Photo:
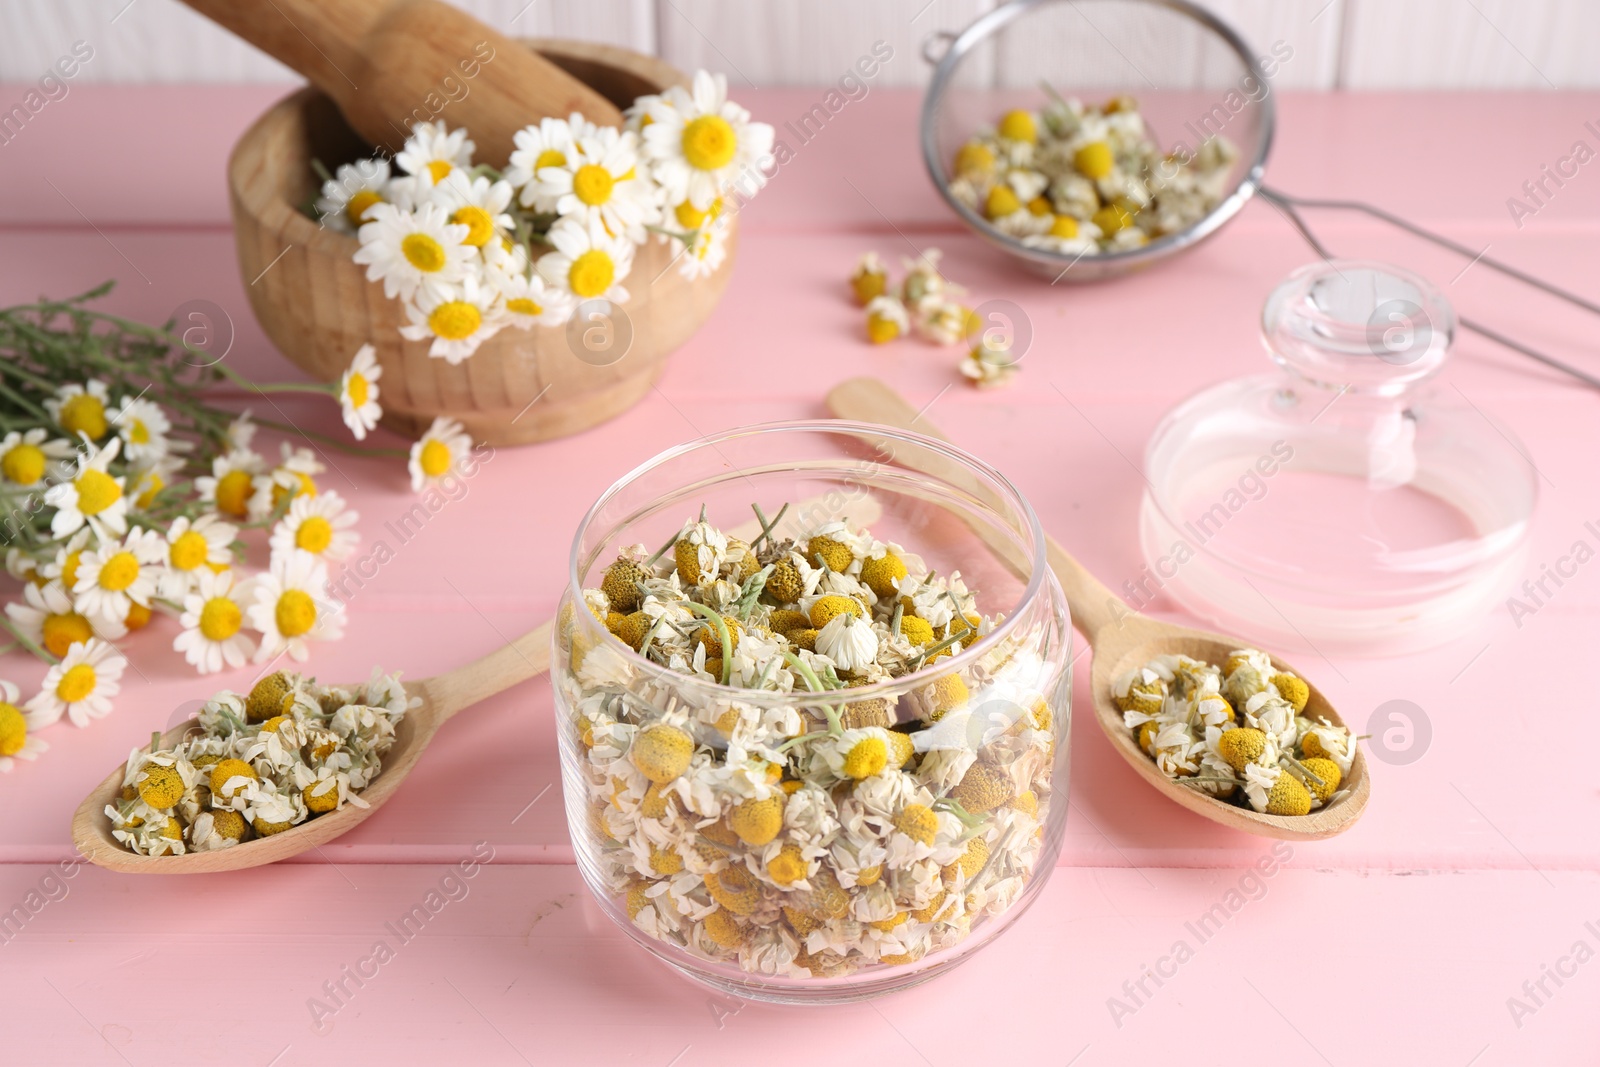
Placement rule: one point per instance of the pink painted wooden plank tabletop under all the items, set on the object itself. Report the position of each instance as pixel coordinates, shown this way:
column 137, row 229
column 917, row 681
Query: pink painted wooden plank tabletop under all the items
column 1457, row 924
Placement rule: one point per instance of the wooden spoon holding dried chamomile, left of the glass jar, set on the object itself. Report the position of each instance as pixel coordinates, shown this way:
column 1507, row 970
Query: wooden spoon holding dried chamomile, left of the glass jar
column 442, row 697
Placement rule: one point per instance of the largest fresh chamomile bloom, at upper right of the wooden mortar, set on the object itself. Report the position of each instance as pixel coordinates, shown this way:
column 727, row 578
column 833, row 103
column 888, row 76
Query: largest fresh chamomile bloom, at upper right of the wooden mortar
column 702, row 143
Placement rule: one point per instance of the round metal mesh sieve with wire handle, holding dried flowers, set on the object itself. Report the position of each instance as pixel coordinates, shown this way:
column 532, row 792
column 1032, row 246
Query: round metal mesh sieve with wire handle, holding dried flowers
column 1193, row 76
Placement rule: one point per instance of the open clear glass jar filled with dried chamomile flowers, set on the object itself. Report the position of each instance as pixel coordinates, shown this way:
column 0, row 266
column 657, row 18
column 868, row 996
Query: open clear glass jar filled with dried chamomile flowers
column 887, row 900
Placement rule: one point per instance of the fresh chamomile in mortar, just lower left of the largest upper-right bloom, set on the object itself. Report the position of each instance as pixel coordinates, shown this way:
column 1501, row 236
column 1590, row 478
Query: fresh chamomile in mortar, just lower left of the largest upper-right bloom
column 599, row 183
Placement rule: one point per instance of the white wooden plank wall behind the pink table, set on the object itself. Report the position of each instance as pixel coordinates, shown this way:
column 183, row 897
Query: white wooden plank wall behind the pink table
column 1338, row 44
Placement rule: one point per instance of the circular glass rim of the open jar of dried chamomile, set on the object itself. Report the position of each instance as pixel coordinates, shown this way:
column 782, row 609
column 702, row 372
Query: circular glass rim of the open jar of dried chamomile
column 932, row 669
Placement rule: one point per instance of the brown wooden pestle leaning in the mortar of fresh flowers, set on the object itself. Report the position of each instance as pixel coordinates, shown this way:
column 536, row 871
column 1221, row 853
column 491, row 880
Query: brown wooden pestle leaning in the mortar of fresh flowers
column 396, row 63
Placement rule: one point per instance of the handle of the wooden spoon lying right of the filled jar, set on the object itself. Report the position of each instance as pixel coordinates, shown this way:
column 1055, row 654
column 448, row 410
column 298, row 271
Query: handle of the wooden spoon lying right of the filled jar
column 871, row 401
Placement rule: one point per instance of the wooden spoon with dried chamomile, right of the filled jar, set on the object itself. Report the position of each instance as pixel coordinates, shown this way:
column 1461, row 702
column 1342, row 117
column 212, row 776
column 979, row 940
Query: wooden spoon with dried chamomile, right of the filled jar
column 1122, row 641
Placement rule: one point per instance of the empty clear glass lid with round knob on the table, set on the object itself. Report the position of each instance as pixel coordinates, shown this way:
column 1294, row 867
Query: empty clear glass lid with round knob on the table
column 1345, row 503
